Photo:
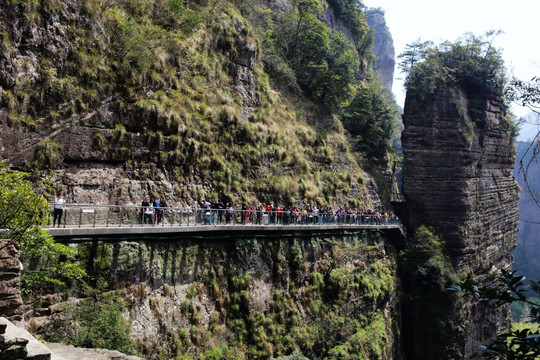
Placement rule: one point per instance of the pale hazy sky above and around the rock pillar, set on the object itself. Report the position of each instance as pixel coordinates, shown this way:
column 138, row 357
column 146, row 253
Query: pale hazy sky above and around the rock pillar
column 438, row 21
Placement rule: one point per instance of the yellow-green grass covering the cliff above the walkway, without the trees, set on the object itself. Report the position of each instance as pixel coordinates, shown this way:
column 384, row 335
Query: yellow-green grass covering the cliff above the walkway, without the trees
column 207, row 121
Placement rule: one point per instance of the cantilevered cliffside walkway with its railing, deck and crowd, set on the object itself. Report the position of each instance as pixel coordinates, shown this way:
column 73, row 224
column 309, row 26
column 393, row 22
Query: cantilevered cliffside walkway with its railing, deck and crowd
column 89, row 221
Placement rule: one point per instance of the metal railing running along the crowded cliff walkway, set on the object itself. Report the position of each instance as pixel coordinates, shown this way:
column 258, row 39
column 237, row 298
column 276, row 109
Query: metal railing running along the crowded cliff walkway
column 91, row 215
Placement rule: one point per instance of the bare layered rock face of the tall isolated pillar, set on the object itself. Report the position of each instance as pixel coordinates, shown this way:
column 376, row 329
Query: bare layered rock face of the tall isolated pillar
column 458, row 160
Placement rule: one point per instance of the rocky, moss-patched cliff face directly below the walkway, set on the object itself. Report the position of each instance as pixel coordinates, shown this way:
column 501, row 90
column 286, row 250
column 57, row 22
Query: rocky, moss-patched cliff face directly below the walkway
column 332, row 295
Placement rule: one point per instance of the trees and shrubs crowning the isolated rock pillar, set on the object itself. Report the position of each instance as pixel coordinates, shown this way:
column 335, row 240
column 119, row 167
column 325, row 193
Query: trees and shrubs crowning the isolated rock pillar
column 430, row 68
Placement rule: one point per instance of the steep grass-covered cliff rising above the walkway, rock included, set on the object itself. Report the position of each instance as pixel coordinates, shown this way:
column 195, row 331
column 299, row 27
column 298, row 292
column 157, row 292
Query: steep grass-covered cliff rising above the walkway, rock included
column 123, row 100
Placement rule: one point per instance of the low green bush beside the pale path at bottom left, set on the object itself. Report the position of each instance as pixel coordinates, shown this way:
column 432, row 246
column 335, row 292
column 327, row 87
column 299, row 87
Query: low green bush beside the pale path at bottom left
column 93, row 324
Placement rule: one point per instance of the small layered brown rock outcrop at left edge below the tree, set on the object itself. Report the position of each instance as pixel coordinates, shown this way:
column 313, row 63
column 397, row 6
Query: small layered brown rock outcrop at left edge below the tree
column 10, row 281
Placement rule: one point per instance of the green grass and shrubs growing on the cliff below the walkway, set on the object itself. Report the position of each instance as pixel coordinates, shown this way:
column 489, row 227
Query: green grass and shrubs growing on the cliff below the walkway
column 326, row 309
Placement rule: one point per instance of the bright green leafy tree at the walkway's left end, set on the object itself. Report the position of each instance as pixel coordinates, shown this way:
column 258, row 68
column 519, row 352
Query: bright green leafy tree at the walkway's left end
column 22, row 213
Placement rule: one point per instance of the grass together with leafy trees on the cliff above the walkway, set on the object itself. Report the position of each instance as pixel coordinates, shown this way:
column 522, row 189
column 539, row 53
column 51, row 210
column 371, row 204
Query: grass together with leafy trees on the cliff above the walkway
column 193, row 108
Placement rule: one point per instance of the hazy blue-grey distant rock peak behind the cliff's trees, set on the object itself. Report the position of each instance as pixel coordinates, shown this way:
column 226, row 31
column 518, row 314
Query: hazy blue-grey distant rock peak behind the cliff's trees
column 383, row 46
